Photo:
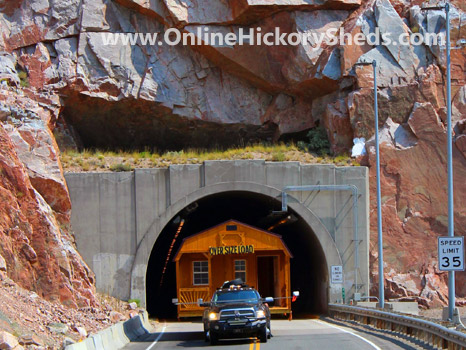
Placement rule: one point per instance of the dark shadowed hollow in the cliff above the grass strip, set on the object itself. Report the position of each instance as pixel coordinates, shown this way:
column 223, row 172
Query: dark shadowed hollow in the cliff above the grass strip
column 141, row 125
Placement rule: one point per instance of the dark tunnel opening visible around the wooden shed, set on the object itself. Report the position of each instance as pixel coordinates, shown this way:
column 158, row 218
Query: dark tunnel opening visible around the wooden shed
column 308, row 266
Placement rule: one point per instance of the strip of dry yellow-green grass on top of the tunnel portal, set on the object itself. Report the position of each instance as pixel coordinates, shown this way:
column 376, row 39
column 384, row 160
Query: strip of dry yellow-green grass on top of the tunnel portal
column 99, row 160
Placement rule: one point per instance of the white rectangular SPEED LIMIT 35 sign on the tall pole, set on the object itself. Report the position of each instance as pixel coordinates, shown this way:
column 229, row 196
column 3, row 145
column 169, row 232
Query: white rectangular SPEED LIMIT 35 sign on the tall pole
column 451, row 253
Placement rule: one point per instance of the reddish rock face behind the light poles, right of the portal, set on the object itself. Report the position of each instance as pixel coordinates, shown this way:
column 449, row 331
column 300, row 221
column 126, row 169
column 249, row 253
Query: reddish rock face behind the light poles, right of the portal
column 414, row 211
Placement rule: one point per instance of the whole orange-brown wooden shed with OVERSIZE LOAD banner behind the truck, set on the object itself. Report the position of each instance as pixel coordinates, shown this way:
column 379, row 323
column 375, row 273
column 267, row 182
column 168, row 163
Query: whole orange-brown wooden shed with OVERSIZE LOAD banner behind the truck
column 228, row 251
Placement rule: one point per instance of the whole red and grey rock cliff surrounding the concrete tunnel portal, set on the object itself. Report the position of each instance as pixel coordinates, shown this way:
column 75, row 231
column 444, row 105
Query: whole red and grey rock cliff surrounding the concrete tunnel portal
column 172, row 97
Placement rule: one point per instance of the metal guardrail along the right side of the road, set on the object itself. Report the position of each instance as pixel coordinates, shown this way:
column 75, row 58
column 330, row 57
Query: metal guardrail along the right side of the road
column 429, row 332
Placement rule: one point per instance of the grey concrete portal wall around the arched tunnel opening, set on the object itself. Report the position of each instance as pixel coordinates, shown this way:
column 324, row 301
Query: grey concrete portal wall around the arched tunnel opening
column 117, row 217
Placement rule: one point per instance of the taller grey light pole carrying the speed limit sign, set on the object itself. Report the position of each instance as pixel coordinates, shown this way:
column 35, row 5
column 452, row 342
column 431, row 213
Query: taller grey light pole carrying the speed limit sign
column 451, row 229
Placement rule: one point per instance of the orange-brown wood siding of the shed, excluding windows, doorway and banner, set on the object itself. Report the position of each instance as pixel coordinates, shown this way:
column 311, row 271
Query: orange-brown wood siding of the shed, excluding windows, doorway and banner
column 221, row 267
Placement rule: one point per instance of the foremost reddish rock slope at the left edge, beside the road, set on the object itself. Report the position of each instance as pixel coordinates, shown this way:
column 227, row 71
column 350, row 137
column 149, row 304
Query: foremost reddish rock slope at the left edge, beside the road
column 37, row 255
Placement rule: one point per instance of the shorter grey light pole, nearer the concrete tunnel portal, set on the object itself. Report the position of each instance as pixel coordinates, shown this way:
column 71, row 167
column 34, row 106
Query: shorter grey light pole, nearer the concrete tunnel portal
column 379, row 201
